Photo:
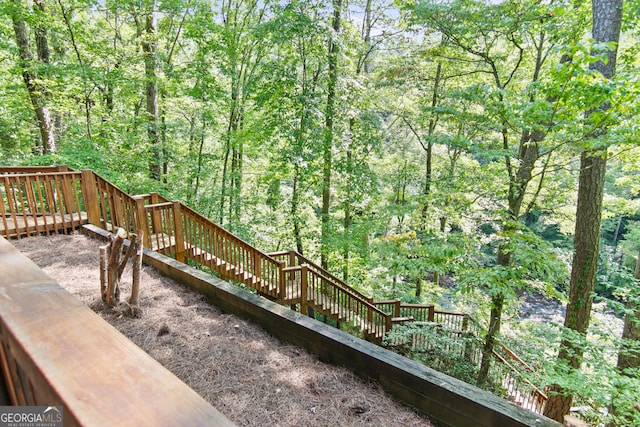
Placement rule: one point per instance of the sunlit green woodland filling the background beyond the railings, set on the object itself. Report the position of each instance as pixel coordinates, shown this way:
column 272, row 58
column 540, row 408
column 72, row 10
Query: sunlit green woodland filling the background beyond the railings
column 399, row 143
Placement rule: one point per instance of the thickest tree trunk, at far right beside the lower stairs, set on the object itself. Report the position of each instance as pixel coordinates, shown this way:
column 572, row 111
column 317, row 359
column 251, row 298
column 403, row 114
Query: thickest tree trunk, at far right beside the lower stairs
column 607, row 18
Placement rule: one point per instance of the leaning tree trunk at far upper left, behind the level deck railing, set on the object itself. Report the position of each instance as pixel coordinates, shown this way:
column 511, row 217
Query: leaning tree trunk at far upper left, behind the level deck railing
column 34, row 83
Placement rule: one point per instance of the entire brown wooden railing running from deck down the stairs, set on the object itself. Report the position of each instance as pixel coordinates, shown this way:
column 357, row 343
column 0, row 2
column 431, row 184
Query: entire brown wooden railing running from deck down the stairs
column 56, row 199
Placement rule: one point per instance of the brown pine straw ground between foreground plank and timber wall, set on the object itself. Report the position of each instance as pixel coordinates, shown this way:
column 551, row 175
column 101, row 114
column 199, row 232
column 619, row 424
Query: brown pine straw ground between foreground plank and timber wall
column 250, row 376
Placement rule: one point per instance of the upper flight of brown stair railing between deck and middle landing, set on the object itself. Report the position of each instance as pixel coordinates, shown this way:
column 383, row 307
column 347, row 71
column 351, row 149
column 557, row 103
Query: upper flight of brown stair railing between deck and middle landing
column 174, row 229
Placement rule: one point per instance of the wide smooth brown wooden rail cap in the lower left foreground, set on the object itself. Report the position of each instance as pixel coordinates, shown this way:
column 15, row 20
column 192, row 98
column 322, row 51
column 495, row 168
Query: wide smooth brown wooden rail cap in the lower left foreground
column 71, row 357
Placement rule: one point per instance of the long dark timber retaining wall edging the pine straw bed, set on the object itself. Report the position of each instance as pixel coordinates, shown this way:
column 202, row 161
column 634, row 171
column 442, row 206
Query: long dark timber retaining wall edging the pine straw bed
column 443, row 399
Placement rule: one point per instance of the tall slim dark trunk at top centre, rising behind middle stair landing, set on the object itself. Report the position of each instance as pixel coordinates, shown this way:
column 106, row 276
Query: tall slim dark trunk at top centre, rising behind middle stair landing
column 327, row 145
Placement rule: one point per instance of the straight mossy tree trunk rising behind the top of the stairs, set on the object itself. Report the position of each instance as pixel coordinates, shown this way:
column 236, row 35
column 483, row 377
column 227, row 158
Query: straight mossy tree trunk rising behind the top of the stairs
column 149, row 48
